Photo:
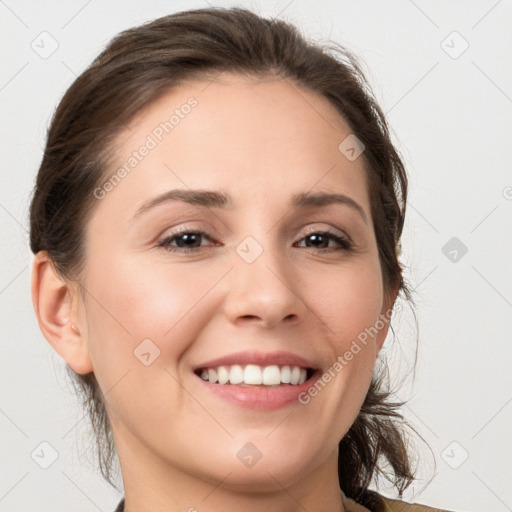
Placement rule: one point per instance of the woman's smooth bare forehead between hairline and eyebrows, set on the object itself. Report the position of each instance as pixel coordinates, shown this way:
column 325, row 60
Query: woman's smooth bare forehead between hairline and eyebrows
column 236, row 133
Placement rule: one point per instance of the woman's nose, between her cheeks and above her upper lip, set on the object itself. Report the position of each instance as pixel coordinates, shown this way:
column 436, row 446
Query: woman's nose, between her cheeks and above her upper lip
column 263, row 293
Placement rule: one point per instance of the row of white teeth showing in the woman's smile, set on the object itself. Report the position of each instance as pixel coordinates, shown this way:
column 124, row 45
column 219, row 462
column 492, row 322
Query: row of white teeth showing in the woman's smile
column 255, row 375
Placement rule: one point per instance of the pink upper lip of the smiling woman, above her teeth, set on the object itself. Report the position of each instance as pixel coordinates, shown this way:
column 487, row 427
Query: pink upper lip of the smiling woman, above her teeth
column 259, row 358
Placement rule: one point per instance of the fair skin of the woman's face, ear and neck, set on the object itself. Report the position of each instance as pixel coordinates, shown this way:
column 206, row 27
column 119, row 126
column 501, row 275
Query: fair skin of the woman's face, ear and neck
column 260, row 141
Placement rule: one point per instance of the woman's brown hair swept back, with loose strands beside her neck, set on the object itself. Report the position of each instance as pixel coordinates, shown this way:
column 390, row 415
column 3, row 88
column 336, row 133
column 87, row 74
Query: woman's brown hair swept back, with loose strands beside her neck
column 136, row 68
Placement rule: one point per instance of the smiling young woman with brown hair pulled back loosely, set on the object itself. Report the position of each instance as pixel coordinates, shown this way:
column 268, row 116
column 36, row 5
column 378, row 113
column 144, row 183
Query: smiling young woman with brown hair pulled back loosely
column 216, row 224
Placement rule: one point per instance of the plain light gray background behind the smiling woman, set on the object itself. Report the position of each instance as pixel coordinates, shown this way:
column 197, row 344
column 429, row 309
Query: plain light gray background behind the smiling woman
column 451, row 116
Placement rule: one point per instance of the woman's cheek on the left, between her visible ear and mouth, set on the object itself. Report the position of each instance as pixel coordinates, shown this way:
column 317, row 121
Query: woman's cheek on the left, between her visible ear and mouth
column 141, row 322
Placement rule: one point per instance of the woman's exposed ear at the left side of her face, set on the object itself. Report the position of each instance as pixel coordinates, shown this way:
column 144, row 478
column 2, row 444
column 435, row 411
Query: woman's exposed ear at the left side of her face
column 55, row 307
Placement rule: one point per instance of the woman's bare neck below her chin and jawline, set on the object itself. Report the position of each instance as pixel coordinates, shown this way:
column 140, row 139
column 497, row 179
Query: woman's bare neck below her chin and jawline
column 151, row 483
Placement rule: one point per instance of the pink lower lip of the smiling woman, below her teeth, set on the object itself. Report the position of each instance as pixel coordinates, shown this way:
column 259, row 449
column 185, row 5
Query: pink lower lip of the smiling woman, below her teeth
column 260, row 398
